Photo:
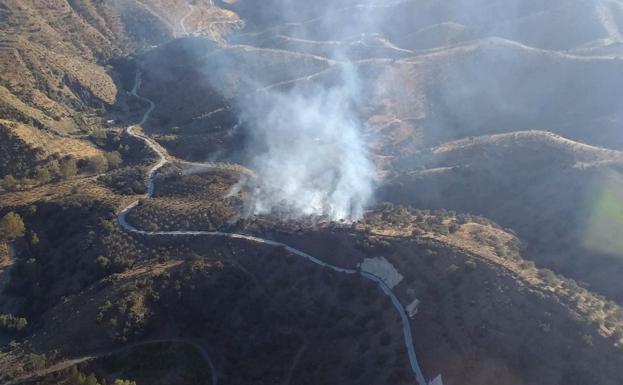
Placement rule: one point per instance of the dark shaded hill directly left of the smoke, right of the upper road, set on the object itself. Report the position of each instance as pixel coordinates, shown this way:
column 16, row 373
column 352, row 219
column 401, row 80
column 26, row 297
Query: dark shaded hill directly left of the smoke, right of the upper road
column 198, row 87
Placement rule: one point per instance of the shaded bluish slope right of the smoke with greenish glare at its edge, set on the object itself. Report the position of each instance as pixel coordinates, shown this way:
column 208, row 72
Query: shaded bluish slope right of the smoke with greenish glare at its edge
column 560, row 196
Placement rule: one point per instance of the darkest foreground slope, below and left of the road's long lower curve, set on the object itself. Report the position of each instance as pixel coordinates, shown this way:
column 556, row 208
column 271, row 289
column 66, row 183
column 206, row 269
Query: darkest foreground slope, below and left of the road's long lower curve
column 222, row 298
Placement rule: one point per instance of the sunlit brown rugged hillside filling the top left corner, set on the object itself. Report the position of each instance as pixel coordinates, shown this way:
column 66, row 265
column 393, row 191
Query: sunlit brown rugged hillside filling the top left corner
column 60, row 72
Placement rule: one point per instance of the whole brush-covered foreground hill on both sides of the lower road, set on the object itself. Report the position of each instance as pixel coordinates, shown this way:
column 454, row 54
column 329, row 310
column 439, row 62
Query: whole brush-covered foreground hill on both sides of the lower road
column 485, row 315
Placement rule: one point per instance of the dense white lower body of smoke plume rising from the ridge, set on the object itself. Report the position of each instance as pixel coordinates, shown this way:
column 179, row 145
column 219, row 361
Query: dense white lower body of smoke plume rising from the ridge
column 309, row 154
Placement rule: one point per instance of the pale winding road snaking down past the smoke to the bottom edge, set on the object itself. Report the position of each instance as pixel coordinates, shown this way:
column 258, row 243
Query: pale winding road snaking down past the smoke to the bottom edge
column 163, row 156
